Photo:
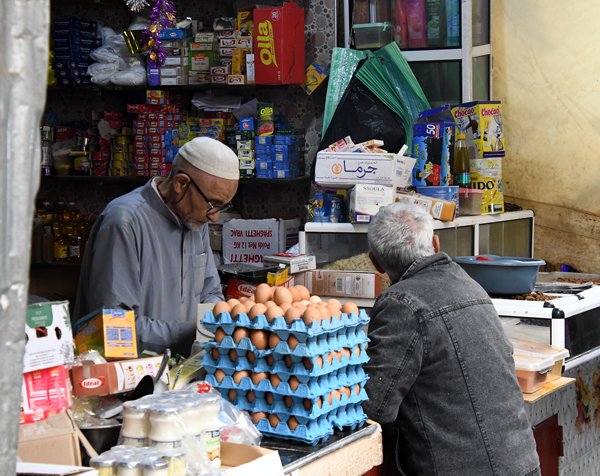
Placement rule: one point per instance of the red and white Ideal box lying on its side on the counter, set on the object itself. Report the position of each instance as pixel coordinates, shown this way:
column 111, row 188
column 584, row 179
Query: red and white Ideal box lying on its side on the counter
column 100, row 380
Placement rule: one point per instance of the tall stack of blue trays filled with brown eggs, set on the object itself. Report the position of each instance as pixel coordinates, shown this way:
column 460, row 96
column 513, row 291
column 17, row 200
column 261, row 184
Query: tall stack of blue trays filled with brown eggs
column 299, row 380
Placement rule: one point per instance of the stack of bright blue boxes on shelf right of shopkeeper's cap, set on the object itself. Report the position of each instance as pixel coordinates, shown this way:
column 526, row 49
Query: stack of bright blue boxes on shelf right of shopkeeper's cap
column 278, row 156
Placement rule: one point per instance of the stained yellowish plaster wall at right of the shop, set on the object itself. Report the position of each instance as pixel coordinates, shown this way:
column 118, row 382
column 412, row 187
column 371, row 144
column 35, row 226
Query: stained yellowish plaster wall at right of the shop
column 546, row 72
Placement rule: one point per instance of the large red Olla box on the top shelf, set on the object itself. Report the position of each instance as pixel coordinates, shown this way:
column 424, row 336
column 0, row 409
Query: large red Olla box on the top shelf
column 279, row 44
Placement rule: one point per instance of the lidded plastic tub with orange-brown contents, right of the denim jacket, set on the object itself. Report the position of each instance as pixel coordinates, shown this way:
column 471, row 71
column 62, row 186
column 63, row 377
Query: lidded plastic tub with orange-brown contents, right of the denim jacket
column 536, row 363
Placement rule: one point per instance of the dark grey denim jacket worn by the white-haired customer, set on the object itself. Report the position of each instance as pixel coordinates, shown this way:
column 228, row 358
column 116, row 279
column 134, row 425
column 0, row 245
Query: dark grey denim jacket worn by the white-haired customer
column 442, row 378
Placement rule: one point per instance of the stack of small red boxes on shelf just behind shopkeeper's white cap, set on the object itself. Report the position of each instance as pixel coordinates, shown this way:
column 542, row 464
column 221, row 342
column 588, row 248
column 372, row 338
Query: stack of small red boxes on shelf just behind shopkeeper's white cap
column 156, row 134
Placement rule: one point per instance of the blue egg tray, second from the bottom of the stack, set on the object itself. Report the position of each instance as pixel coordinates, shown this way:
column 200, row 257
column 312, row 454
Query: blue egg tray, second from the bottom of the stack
column 297, row 409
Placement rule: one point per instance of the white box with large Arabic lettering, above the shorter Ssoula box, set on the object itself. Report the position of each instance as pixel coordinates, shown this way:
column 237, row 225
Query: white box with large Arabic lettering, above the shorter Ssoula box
column 345, row 169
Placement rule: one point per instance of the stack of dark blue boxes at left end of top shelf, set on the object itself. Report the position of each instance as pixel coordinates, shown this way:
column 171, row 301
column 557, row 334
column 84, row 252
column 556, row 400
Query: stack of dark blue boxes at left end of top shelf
column 72, row 42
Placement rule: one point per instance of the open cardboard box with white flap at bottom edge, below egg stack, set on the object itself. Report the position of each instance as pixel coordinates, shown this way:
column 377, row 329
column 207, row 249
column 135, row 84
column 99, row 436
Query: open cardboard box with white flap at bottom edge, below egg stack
column 242, row 460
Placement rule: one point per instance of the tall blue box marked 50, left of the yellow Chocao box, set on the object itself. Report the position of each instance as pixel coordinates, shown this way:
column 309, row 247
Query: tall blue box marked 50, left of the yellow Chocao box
column 433, row 147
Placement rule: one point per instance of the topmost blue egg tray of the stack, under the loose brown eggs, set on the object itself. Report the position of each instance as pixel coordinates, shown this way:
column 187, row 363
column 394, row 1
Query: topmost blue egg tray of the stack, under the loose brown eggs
column 228, row 323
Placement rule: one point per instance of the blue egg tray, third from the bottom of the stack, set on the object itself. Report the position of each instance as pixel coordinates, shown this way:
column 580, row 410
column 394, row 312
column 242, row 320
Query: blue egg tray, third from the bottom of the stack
column 312, row 387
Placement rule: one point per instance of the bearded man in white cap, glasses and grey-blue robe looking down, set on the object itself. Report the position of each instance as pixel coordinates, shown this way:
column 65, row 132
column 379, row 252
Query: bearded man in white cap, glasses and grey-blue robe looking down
column 149, row 249
